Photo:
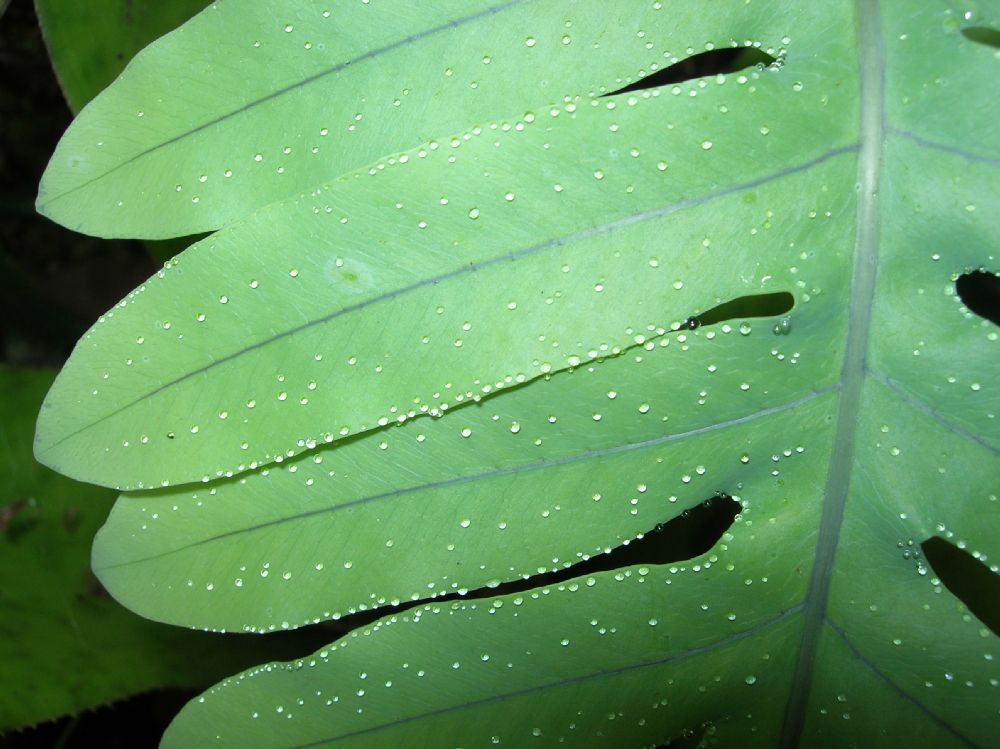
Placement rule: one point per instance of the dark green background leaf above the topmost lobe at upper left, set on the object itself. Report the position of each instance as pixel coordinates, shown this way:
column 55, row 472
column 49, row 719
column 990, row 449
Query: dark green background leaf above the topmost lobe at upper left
column 91, row 42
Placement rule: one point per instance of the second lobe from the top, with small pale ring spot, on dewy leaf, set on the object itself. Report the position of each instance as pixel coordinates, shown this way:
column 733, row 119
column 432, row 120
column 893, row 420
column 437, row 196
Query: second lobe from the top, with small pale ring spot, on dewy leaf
column 312, row 309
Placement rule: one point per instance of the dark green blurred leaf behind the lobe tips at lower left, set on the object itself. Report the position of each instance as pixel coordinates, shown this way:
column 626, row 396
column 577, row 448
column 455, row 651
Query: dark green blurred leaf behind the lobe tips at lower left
column 65, row 645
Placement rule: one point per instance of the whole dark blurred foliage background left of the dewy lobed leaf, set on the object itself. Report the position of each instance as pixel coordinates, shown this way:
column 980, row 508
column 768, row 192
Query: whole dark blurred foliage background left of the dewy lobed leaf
column 78, row 669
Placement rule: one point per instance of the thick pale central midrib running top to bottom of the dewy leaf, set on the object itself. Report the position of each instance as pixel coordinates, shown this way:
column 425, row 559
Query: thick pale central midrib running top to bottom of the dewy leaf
column 870, row 70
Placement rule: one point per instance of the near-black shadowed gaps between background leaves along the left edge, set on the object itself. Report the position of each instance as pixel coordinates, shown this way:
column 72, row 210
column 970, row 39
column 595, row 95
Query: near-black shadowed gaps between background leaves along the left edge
column 53, row 284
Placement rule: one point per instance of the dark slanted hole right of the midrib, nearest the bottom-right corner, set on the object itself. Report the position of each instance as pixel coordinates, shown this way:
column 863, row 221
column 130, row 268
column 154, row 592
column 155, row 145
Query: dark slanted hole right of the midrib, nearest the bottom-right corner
column 967, row 578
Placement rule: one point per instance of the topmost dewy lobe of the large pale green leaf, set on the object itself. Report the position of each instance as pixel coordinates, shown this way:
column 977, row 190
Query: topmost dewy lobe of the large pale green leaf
column 188, row 142
